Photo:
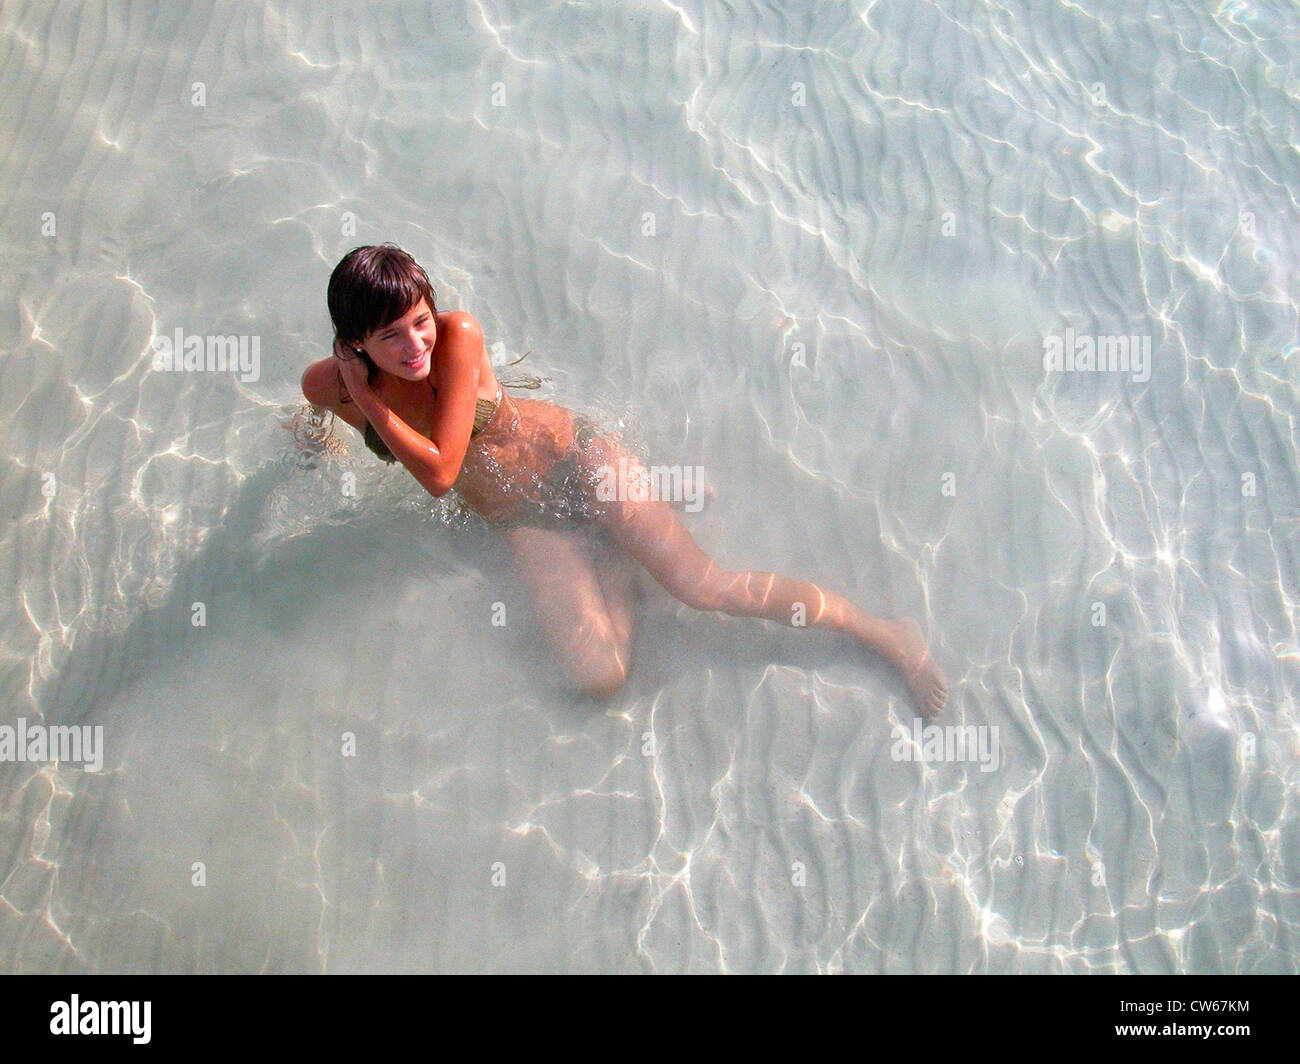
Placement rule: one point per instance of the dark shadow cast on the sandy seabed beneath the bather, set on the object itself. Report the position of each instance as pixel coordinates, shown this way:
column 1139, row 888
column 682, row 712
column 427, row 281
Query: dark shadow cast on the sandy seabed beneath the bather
column 245, row 577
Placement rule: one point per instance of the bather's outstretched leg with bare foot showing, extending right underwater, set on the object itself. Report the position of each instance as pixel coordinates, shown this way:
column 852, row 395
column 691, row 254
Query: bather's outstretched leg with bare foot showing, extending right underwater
column 652, row 534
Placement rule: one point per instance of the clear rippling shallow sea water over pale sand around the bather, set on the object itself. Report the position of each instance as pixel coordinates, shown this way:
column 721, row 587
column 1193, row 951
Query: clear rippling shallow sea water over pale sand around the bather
column 816, row 249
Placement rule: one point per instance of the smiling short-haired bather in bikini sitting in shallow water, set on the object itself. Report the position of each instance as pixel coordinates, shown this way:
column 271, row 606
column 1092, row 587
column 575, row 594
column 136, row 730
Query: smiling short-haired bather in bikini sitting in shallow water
column 421, row 388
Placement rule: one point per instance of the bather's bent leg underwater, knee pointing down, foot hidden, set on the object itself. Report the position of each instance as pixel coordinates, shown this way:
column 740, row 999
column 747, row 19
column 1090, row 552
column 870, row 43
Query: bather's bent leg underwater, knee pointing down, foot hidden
column 583, row 605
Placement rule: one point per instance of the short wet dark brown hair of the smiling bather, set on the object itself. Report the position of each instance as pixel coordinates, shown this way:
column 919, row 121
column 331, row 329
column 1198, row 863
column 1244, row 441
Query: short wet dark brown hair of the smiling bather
column 371, row 288
